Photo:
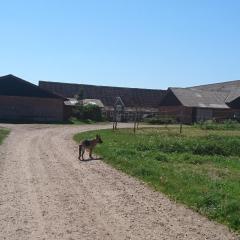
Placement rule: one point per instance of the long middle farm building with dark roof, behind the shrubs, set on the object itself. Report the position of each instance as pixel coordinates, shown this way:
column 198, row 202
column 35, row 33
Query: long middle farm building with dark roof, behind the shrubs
column 143, row 101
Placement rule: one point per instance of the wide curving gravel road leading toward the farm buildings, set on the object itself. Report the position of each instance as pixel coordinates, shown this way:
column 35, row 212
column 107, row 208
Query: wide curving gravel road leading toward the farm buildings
column 46, row 193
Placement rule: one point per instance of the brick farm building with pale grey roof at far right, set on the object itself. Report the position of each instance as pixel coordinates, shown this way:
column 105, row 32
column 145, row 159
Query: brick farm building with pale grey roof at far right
column 215, row 101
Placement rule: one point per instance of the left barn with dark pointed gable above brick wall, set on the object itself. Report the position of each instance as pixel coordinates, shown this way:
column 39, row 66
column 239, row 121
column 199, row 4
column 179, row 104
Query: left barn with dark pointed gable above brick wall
column 24, row 101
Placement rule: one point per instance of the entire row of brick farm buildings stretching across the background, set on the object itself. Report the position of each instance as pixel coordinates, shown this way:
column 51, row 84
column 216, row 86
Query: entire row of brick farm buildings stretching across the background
column 53, row 101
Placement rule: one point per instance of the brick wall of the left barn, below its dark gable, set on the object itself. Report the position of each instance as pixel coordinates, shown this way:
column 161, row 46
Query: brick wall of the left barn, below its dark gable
column 31, row 109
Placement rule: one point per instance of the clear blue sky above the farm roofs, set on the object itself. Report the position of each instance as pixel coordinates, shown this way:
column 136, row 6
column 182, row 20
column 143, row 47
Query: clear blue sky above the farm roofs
column 132, row 43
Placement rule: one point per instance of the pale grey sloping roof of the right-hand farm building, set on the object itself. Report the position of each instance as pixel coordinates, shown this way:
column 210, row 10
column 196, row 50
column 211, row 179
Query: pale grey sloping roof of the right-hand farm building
column 192, row 97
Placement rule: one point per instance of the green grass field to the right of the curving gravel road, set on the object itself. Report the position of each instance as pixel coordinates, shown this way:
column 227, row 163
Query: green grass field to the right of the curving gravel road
column 200, row 168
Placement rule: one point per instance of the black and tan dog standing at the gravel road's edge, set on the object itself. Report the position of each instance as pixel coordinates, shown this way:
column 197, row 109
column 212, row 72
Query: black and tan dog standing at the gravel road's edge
column 89, row 145
